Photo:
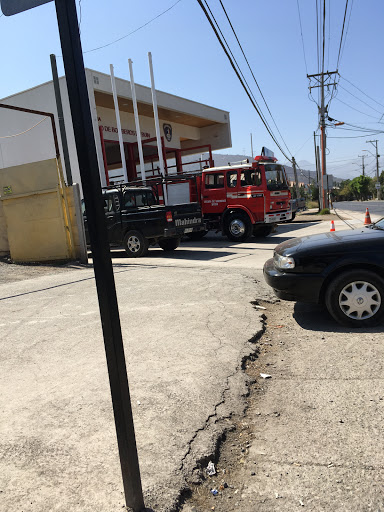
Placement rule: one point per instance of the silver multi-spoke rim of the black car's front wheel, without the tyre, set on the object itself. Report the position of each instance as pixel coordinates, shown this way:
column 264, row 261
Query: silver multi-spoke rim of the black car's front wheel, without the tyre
column 359, row 300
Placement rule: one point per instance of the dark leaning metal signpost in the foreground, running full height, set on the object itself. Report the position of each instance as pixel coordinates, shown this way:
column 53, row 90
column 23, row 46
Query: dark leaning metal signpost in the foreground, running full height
column 109, row 312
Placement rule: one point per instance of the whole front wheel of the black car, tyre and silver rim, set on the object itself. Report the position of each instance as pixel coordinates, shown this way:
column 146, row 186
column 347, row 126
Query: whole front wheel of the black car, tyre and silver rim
column 356, row 298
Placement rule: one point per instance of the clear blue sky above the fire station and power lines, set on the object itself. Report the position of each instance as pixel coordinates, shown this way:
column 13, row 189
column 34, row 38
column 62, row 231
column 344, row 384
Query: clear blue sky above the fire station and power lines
column 189, row 62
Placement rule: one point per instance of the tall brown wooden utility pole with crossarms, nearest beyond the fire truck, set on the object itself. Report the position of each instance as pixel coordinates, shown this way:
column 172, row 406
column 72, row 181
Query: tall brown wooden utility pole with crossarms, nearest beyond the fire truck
column 322, row 80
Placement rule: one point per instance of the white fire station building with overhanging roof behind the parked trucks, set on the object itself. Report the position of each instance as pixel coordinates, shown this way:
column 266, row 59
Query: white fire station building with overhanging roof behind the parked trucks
column 187, row 128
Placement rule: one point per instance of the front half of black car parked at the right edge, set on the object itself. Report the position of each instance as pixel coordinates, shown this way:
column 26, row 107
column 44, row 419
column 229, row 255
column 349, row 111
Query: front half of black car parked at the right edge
column 343, row 270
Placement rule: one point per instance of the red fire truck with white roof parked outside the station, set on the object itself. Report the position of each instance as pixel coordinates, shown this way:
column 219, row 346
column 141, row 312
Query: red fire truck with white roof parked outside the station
column 239, row 200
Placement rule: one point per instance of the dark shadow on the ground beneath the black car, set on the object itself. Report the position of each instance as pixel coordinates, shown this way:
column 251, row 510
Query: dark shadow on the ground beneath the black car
column 314, row 317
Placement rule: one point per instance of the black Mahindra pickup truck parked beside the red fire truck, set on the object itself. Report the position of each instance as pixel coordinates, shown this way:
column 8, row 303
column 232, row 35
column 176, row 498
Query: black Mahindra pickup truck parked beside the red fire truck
column 136, row 220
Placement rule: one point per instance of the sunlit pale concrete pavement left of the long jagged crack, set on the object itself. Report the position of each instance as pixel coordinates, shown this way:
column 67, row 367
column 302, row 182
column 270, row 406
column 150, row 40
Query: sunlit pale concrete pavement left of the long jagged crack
column 186, row 332
